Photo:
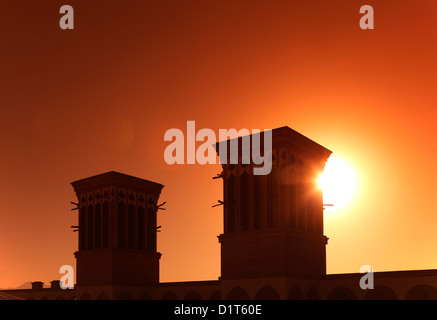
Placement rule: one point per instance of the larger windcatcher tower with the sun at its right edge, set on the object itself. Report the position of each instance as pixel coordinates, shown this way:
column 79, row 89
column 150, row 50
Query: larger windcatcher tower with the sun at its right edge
column 273, row 224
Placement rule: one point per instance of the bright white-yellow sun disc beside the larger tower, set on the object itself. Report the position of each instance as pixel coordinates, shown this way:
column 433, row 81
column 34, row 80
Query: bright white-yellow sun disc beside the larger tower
column 338, row 183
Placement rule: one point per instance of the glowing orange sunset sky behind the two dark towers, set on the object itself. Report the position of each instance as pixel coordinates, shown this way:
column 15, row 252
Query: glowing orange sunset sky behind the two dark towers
column 98, row 98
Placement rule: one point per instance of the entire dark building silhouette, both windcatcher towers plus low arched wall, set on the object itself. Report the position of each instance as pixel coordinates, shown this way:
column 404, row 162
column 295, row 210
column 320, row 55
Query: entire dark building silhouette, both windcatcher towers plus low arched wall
column 272, row 246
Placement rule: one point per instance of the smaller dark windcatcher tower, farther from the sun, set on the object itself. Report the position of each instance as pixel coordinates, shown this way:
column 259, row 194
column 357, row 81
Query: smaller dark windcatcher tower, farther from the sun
column 117, row 230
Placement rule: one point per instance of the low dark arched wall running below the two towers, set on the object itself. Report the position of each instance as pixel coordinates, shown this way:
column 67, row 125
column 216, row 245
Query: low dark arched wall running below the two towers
column 398, row 285
